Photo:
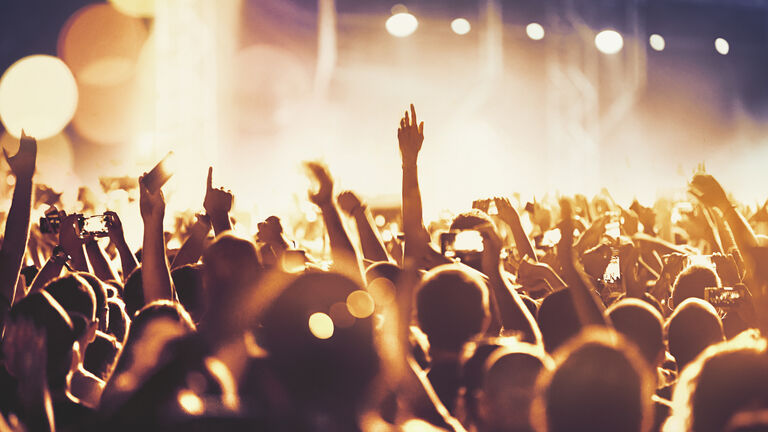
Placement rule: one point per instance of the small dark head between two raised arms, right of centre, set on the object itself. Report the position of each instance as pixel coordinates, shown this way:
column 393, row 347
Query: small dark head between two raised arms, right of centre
column 557, row 319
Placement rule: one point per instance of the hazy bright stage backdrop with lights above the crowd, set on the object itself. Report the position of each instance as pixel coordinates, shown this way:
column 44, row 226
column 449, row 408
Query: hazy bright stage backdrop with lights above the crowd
column 527, row 96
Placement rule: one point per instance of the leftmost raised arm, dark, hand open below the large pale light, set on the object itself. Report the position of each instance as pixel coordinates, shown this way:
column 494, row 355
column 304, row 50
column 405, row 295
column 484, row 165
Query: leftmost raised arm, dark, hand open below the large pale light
column 17, row 224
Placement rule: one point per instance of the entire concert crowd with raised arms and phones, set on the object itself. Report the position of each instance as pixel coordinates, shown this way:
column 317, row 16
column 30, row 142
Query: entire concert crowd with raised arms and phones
column 573, row 314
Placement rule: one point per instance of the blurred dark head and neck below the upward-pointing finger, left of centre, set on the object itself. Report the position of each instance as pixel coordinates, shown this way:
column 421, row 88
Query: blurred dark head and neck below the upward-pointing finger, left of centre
column 231, row 269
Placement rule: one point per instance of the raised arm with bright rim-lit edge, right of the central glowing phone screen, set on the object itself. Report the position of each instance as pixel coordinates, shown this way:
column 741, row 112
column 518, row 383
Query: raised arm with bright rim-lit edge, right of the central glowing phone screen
column 513, row 314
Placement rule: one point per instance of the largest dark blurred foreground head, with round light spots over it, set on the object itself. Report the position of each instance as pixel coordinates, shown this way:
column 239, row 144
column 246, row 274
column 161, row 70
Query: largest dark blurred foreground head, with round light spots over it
column 318, row 361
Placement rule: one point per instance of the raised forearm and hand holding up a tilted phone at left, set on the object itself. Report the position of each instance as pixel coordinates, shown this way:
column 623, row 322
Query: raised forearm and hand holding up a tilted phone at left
column 155, row 277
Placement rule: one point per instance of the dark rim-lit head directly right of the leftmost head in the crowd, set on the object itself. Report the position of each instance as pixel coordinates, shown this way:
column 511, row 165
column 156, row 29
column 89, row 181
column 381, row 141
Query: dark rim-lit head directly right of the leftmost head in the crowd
column 76, row 296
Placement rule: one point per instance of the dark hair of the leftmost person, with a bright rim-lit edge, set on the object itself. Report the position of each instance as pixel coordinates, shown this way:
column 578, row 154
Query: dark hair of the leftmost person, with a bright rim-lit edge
column 46, row 313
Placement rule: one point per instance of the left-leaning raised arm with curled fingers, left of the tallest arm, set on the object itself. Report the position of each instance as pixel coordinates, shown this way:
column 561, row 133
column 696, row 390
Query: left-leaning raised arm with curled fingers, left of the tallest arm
column 343, row 252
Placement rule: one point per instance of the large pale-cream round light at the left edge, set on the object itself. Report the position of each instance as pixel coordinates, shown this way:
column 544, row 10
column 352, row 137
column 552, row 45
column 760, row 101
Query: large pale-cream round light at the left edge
column 37, row 93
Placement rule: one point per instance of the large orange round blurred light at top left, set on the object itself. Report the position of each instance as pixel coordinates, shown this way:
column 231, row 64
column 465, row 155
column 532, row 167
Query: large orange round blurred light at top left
column 101, row 45
